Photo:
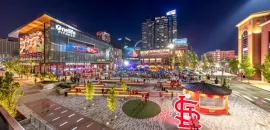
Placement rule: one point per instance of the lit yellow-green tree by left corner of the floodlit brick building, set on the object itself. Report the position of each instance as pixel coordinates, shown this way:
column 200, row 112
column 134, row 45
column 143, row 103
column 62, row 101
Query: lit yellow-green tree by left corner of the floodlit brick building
column 248, row 67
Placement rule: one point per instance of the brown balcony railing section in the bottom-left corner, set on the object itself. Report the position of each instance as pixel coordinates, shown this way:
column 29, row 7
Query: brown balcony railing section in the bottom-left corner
column 7, row 122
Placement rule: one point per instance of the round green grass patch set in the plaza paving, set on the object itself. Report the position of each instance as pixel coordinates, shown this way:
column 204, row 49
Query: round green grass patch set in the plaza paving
column 140, row 110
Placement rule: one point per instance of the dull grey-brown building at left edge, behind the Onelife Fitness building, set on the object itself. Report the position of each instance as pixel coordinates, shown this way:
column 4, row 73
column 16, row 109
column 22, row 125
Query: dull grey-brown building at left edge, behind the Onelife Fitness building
column 8, row 48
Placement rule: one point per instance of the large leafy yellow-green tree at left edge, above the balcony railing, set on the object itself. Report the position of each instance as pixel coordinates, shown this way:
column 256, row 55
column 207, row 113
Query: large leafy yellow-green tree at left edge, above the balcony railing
column 8, row 97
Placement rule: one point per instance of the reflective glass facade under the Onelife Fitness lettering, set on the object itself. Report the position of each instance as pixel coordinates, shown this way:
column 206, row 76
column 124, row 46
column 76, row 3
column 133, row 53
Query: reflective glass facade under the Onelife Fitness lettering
column 57, row 46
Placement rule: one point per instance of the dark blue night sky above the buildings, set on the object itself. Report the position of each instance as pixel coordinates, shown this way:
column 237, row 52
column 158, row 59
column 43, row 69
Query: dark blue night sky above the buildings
column 208, row 24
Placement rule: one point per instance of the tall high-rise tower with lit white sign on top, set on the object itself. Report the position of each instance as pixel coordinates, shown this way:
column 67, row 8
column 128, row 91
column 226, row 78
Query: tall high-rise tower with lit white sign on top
column 159, row 32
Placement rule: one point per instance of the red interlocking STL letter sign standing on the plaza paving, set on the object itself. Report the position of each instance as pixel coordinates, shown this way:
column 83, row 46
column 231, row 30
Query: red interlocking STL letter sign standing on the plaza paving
column 188, row 117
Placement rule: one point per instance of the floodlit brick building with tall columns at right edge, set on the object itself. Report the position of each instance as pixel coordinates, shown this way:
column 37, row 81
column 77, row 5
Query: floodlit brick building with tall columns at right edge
column 254, row 39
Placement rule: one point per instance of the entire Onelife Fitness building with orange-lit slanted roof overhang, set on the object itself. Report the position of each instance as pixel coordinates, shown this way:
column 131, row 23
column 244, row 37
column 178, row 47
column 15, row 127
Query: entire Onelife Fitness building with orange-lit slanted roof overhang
column 61, row 48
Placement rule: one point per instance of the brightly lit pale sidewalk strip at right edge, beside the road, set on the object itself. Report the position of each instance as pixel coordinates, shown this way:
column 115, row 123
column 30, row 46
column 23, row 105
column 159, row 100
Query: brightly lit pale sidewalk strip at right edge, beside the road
column 258, row 84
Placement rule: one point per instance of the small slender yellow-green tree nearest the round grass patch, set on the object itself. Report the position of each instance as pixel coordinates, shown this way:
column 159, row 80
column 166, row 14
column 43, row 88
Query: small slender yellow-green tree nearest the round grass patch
column 112, row 99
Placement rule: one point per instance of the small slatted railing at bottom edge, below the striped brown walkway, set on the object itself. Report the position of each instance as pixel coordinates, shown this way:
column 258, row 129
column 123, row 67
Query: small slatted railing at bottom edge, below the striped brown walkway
column 38, row 125
